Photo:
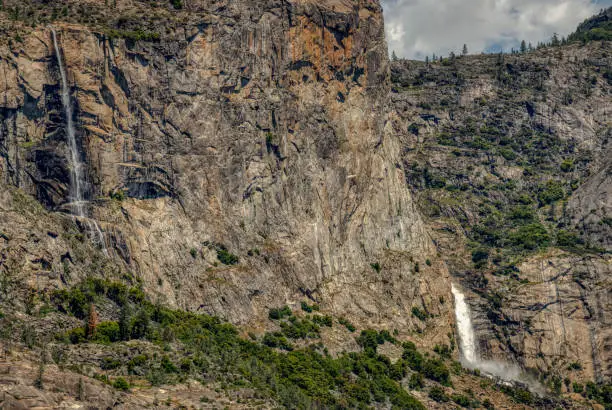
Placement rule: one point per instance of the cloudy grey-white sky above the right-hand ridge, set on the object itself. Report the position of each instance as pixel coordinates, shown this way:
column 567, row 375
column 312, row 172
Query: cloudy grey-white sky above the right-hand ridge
column 416, row 28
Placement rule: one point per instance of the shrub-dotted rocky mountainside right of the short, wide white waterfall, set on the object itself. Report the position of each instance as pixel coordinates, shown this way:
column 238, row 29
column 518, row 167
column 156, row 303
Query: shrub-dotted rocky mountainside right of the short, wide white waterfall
column 486, row 139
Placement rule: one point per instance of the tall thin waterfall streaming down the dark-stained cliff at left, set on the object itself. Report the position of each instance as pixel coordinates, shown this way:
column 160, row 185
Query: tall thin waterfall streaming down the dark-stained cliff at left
column 77, row 200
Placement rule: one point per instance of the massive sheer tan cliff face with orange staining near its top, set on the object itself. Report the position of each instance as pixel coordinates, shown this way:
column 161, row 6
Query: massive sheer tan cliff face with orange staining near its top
column 256, row 130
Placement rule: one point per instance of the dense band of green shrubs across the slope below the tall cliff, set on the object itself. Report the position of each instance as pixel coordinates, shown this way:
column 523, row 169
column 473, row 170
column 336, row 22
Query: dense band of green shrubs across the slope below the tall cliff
column 301, row 378
